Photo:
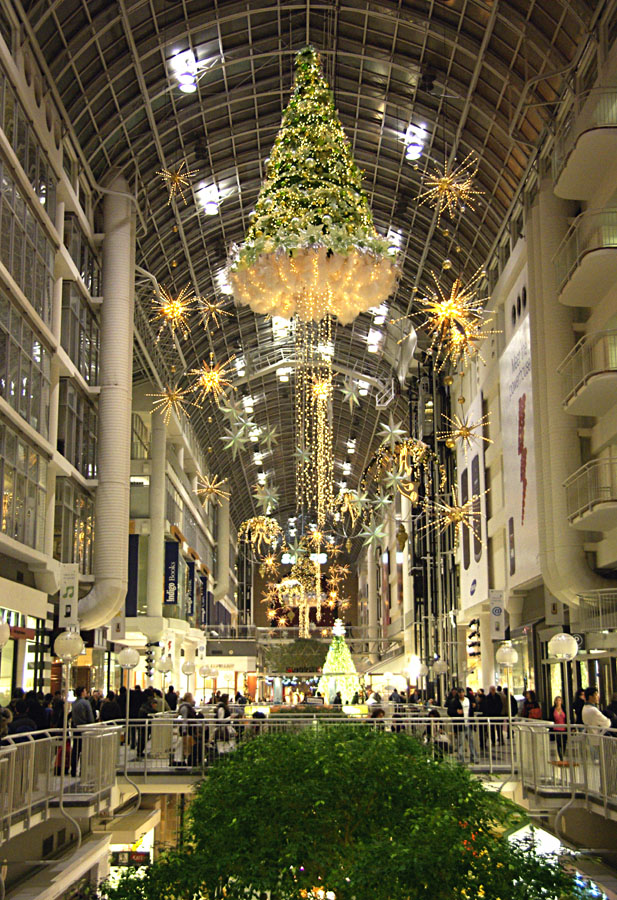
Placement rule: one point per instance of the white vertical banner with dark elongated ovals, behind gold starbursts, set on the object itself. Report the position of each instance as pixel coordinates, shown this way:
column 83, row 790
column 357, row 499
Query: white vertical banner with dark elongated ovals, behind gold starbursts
column 473, row 555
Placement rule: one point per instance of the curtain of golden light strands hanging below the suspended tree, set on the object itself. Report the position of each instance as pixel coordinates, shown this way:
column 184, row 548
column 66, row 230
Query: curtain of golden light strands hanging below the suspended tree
column 313, row 396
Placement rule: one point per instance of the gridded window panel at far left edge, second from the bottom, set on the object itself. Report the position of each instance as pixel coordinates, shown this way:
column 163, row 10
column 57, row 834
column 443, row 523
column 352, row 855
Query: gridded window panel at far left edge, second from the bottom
column 24, row 367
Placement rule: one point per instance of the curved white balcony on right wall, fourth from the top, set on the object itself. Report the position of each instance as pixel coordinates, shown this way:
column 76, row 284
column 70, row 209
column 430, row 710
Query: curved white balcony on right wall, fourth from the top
column 591, row 496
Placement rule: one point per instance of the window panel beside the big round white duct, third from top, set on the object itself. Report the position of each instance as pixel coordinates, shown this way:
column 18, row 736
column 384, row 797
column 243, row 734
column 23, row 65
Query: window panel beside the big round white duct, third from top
column 77, row 428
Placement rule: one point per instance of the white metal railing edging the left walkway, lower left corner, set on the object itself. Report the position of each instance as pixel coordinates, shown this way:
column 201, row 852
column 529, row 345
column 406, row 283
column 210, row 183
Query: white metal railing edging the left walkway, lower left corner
column 31, row 764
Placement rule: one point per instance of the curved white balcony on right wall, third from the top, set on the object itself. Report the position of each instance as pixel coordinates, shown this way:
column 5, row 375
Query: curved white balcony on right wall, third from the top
column 590, row 374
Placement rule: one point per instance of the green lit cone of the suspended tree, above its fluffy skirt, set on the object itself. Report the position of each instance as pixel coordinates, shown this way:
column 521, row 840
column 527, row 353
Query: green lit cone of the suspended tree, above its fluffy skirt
column 313, row 188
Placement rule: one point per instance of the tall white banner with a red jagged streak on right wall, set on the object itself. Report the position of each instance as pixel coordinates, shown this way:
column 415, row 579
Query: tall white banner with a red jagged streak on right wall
column 519, row 464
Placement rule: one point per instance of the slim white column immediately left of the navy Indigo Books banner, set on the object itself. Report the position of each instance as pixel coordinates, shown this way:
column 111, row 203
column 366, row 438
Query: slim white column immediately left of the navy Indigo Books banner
column 156, row 541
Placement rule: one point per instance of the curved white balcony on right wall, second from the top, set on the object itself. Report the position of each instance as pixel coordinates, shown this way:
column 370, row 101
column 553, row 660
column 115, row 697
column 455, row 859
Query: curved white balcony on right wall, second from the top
column 586, row 261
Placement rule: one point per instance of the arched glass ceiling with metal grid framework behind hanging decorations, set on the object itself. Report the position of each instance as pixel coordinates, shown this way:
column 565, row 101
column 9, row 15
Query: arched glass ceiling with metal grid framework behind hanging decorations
column 460, row 67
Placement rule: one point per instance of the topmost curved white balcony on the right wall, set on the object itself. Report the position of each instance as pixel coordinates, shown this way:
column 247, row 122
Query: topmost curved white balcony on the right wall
column 589, row 133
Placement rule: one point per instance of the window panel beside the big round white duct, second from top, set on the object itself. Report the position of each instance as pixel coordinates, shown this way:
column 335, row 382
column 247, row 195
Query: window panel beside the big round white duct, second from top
column 80, row 332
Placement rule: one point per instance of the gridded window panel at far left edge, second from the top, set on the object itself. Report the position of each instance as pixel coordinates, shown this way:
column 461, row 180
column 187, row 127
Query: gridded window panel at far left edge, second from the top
column 25, row 249
